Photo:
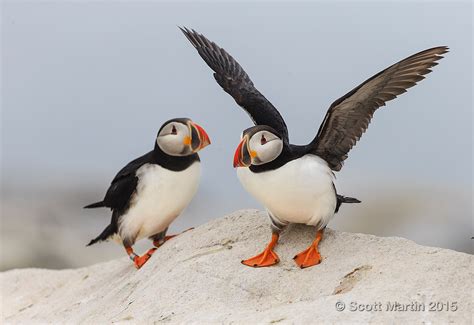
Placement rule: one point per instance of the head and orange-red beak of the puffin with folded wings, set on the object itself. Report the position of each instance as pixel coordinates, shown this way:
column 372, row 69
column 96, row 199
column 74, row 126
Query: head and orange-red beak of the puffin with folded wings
column 181, row 137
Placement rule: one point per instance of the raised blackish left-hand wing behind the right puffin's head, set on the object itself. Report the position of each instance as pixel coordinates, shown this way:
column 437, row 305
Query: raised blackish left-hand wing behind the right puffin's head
column 235, row 81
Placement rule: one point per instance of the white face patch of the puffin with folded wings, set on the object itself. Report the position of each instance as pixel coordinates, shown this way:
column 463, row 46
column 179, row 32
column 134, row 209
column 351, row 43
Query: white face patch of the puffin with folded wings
column 171, row 139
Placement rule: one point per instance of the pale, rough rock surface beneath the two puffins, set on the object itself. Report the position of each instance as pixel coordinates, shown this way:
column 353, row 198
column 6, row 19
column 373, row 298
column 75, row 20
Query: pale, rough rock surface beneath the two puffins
column 197, row 277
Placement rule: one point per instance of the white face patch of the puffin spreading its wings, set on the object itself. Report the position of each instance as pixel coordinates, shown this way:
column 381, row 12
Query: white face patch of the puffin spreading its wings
column 267, row 147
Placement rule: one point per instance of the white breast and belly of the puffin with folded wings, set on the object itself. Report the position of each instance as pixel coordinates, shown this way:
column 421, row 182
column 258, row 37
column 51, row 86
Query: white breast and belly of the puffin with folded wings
column 160, row 197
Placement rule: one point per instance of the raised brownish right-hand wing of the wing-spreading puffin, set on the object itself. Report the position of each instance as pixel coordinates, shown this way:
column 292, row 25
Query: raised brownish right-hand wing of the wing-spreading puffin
column 349, row 116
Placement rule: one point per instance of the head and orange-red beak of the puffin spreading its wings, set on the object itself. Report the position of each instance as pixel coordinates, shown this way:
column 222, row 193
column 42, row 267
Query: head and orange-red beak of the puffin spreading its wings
column 259, row 145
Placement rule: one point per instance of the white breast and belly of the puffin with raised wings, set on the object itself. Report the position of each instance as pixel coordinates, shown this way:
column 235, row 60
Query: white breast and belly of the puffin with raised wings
column 301, row 191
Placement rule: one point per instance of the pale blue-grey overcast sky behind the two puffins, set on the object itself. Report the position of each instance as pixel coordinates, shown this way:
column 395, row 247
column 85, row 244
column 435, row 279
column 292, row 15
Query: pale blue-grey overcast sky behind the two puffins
column 86, row 86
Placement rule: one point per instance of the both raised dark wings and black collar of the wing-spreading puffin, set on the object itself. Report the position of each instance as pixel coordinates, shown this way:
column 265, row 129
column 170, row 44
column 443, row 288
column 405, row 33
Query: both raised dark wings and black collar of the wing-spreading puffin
column 347, row 118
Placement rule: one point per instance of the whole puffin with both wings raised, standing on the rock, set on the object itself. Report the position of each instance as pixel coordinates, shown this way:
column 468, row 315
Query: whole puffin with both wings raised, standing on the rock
column 295, row 183
